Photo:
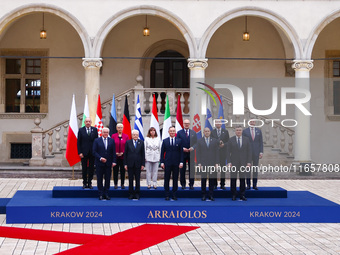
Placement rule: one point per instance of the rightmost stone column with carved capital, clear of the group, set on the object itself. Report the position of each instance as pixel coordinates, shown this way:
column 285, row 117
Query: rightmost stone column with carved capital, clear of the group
column 302, row 130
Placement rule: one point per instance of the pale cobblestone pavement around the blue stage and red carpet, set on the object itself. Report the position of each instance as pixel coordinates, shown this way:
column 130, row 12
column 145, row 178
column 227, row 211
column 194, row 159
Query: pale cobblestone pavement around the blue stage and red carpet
column 245, row 238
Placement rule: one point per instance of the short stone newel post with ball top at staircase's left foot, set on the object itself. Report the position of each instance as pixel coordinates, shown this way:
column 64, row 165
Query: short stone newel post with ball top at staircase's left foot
column 37, row 145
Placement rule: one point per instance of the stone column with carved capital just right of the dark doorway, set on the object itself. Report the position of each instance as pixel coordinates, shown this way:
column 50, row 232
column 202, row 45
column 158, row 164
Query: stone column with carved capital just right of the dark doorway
column 197, row 97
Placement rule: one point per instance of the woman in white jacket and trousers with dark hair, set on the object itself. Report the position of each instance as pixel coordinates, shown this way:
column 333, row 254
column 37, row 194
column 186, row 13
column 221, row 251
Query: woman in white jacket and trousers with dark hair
column 152, row 145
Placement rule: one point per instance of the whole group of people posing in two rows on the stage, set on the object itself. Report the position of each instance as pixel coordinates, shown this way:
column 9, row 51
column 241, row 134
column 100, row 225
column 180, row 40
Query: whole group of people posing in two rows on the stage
column 177, row 155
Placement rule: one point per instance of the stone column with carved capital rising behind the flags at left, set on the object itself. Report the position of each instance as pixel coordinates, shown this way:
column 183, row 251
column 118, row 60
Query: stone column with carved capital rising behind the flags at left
column 92, row 83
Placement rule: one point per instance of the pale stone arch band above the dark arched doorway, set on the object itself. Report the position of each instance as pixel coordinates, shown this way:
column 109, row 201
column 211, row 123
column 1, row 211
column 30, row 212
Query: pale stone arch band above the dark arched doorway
column 140, row 10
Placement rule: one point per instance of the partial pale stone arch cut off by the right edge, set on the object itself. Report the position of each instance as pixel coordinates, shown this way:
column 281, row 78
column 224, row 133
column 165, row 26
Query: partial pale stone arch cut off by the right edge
column 314, row 34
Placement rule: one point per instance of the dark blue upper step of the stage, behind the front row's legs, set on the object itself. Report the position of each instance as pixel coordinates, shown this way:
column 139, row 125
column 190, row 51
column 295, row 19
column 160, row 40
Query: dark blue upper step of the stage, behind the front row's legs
column 79, row 192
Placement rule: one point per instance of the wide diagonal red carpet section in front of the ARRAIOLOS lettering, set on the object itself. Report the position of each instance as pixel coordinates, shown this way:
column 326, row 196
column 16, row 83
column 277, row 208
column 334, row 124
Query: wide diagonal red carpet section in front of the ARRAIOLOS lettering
column 131, row 240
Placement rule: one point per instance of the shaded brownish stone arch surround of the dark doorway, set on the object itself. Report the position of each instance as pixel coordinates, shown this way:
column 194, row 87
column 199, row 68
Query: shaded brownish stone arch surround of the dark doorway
column 154, row 50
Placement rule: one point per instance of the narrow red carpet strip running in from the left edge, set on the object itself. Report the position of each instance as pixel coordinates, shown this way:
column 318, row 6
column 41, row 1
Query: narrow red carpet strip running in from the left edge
column 47, row 235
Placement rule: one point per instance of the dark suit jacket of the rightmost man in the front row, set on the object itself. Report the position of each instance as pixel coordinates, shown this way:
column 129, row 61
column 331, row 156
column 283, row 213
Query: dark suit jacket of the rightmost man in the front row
column 239, row 156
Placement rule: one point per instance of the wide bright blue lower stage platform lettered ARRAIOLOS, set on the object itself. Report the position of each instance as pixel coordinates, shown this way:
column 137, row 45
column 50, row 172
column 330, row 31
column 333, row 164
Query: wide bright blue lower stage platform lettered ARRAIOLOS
column 41, row 207
